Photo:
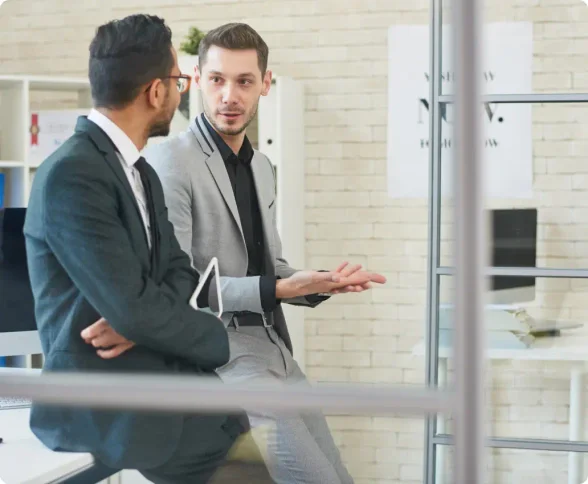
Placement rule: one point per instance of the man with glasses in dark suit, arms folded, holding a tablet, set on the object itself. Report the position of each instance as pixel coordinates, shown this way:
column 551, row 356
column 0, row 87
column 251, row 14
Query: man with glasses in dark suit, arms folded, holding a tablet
column 99, row 245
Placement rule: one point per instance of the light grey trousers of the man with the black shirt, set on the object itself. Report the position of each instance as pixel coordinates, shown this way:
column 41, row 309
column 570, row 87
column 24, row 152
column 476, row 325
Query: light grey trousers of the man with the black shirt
column 298, row 449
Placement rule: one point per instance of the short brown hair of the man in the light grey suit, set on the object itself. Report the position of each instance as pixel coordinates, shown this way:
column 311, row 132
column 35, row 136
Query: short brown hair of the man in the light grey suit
column 235, row 36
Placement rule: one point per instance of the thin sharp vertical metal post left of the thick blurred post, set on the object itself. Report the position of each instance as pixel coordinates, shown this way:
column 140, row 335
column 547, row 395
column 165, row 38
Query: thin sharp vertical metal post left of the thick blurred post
column 434, row 233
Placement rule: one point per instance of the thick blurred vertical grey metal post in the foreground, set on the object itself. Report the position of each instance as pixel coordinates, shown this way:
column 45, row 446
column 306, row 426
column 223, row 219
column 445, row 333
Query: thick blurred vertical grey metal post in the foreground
column 470, row 241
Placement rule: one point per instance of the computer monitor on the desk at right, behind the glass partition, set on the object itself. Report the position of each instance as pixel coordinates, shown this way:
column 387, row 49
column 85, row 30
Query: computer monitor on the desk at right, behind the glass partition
column 514, row 244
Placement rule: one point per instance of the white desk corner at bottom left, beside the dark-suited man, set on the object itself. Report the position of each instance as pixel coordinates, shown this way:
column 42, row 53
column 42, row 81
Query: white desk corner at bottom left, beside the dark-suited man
column 25, row 460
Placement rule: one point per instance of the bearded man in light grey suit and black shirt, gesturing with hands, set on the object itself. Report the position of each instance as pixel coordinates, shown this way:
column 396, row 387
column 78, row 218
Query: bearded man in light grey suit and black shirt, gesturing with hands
column 221, row 198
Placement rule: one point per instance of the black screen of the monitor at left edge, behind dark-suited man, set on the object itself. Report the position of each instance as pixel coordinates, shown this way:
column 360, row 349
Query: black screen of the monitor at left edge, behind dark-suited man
column 16, row 297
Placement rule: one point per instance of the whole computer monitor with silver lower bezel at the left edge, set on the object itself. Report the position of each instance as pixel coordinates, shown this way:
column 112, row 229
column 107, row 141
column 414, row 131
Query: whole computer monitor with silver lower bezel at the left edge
column 18, row 329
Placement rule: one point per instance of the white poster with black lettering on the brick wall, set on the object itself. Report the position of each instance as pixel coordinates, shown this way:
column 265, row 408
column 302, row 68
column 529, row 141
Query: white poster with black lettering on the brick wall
column 507, row 138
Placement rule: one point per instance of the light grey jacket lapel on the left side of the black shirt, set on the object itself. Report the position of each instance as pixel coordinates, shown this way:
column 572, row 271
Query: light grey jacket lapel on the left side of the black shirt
column 217, row 169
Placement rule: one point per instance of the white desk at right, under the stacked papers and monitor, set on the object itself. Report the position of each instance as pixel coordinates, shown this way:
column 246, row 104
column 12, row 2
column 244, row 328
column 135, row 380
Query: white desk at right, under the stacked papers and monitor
column 573, row 348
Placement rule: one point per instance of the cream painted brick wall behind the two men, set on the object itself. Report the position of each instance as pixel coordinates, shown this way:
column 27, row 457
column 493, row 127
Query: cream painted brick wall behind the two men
column 338, row 48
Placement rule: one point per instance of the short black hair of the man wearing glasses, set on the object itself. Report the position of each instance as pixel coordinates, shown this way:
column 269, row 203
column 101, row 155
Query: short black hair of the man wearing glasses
column 127, row 54
